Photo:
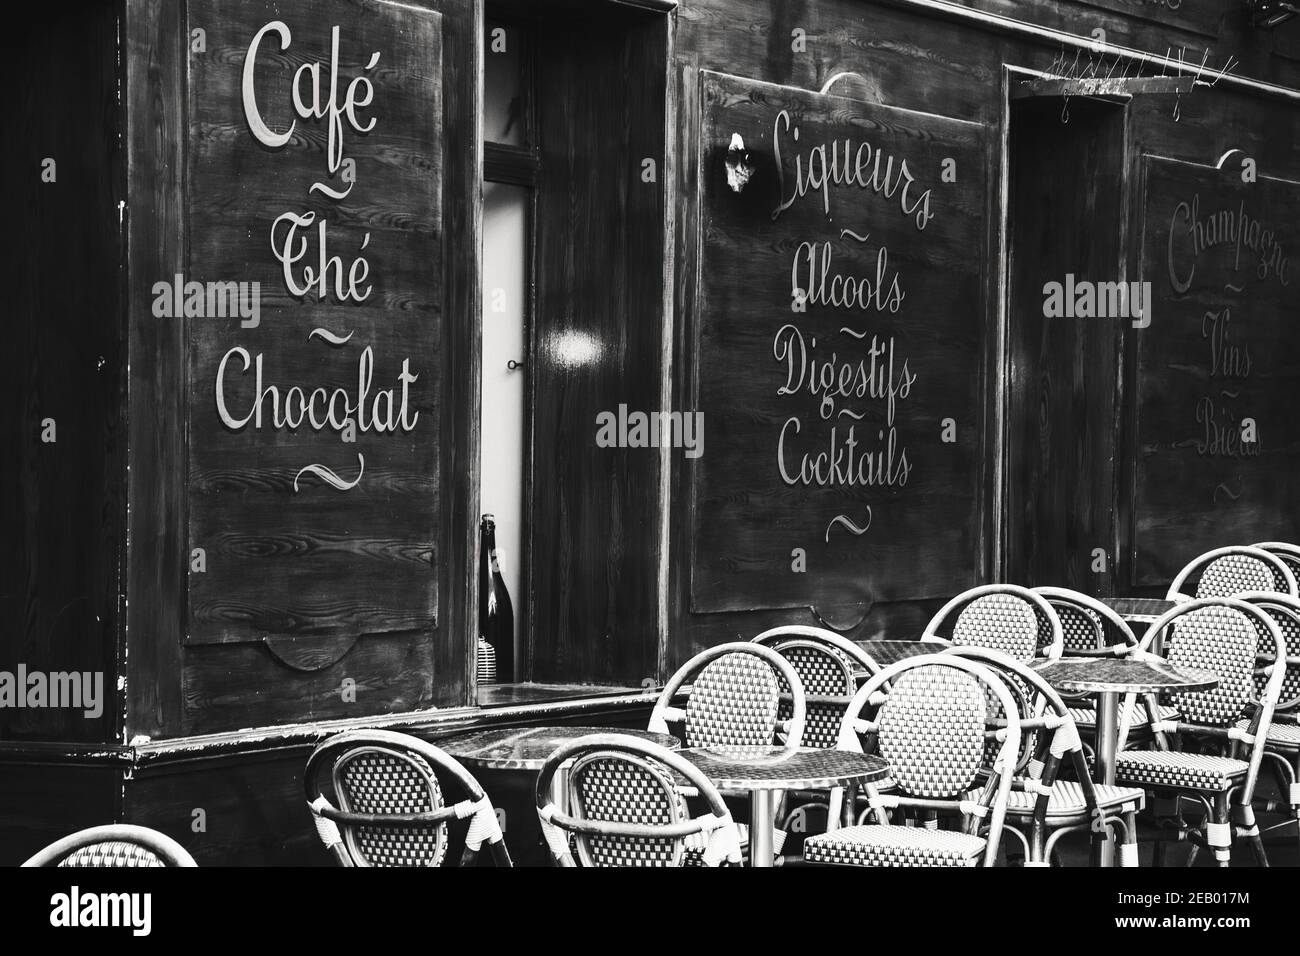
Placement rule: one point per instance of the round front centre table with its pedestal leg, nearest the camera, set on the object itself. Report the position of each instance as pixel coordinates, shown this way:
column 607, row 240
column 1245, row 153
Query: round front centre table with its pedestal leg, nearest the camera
column 766, row 772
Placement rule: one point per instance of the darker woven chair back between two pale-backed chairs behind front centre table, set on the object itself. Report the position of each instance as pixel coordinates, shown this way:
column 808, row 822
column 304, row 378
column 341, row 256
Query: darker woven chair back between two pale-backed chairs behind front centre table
column 830, row 668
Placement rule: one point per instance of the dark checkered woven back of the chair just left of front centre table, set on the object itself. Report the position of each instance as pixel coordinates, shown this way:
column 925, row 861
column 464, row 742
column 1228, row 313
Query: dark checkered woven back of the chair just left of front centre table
column 623, row 790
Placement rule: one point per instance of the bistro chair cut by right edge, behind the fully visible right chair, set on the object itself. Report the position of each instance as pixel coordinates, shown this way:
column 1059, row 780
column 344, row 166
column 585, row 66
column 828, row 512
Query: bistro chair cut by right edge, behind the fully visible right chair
column 1282, row 747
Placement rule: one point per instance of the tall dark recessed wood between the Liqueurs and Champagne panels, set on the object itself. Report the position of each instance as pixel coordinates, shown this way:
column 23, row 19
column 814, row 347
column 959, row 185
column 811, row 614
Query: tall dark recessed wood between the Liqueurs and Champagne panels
column 1067, row 219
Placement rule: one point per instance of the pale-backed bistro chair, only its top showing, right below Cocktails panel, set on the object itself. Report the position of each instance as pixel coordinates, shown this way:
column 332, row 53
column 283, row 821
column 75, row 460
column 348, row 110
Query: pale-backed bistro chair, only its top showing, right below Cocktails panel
column 1003, row 617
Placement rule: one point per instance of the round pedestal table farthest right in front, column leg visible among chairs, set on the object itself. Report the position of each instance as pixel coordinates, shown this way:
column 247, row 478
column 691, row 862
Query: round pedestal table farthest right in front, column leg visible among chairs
column 1112, row 678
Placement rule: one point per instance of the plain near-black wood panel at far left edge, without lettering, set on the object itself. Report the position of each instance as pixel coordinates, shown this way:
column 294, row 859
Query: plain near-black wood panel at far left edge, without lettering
column 63, row 500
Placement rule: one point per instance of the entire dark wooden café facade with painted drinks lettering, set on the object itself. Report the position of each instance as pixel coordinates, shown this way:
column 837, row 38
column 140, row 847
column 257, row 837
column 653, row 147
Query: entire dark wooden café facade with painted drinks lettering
column 249, row 578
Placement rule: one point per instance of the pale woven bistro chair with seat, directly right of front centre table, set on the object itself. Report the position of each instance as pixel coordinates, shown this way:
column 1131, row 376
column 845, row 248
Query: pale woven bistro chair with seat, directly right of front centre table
column 928, row 716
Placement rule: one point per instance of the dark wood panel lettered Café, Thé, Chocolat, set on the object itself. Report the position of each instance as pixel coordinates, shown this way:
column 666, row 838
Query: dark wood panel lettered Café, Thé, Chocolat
column 313, row 559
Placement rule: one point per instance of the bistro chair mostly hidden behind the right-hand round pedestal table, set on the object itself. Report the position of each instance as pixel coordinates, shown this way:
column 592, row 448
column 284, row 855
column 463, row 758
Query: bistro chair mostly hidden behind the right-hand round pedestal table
column 1093, row 629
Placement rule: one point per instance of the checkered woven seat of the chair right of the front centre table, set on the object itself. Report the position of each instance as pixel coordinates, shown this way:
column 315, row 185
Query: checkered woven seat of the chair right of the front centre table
column 878, row 845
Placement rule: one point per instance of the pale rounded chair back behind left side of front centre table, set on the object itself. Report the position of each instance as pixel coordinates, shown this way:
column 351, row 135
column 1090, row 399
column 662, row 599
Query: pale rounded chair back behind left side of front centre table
column 734, row 699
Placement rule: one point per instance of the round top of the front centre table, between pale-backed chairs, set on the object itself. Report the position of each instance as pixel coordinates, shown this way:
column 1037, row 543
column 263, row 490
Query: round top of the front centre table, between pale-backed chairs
column 774, row 768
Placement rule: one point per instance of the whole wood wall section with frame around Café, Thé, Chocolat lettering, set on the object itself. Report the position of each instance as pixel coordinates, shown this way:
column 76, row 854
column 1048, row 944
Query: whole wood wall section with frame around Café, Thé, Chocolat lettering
column 428, row 312
